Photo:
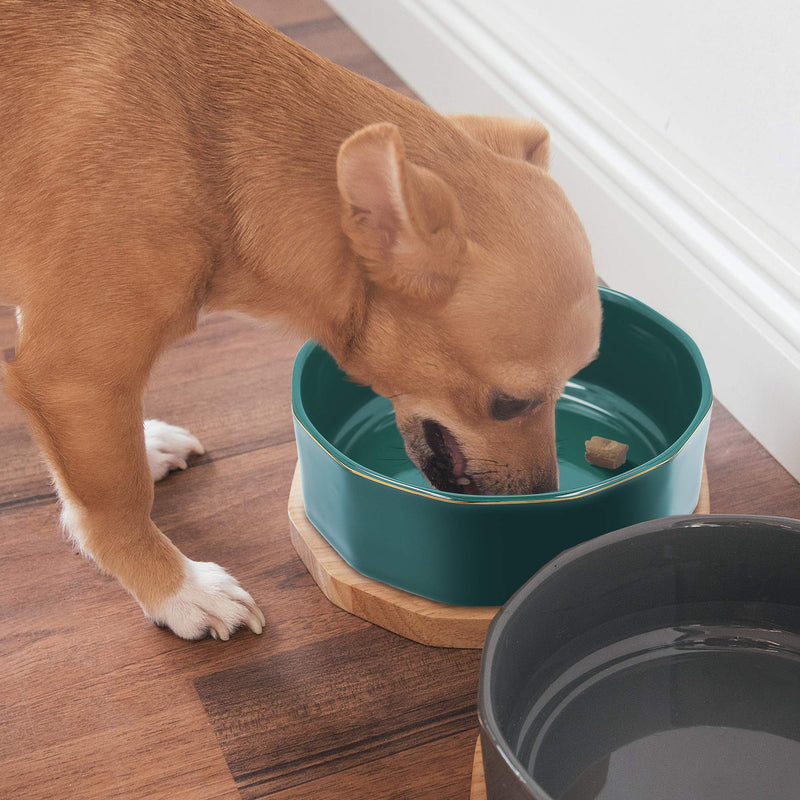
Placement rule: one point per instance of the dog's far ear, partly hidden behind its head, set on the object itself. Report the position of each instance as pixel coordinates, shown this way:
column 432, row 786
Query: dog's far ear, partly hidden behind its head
column 524, row 139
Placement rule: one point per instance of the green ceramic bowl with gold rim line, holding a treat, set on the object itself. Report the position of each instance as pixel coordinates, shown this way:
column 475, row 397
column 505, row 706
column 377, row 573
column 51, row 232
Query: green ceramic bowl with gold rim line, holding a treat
column 649, row 388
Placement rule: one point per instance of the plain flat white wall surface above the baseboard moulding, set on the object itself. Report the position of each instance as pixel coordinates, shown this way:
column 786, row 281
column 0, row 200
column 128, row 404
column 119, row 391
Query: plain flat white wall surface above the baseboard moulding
column 718, row 80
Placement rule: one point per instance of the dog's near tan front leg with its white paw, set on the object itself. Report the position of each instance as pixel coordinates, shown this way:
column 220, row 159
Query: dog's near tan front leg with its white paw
column 90, row 430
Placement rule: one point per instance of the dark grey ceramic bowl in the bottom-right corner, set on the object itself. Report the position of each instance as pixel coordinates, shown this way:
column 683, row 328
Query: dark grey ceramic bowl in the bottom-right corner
column 657, row 662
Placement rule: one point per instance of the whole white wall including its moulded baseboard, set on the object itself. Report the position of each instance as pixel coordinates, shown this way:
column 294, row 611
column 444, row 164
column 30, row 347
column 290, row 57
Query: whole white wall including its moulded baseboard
column 675, row 134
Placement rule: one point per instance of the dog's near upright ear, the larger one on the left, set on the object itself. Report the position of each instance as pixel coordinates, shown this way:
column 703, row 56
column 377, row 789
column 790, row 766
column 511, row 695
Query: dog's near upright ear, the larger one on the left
column 403, row 220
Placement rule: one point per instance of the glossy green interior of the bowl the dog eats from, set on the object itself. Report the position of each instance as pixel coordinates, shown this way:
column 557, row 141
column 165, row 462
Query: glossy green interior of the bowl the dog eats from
column 646, row 389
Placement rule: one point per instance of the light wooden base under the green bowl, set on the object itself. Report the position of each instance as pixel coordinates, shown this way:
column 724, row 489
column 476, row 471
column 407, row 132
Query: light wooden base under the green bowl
column 425, row 621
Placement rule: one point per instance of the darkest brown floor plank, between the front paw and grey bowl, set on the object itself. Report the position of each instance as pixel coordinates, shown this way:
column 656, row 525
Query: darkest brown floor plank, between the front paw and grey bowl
column 329, row 711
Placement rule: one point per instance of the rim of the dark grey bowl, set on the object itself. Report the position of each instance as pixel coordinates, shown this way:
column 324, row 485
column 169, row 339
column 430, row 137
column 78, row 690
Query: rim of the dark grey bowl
column 486, row 718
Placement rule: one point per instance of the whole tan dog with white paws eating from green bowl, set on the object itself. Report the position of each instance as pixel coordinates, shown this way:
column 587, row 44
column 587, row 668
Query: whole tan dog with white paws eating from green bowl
column 163, row 157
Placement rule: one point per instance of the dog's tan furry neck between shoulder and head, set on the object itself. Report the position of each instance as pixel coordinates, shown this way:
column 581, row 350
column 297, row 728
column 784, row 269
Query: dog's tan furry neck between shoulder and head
column 288, row 254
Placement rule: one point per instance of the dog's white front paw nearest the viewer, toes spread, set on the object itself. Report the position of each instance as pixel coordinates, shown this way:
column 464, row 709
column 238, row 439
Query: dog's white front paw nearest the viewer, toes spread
column 210, row 601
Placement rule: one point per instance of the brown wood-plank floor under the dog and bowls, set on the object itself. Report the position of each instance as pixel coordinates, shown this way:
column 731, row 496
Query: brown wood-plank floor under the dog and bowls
column 97, row 703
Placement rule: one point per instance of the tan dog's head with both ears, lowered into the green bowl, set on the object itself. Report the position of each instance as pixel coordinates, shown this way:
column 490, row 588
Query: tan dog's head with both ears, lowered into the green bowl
column 482, row 299
